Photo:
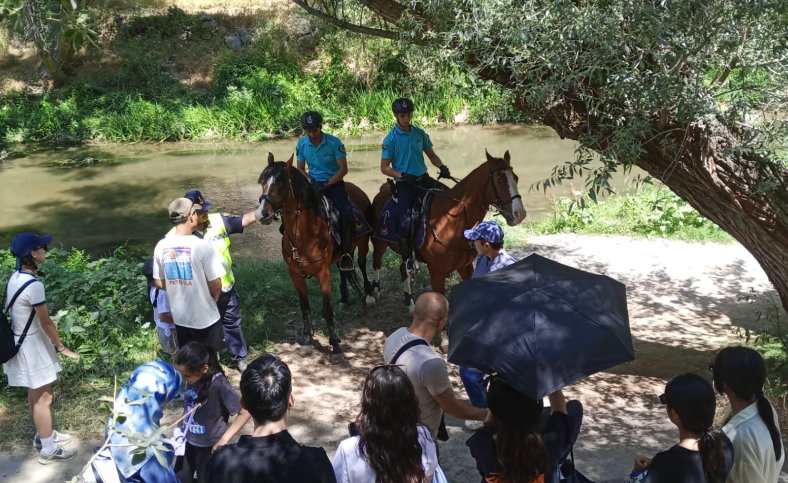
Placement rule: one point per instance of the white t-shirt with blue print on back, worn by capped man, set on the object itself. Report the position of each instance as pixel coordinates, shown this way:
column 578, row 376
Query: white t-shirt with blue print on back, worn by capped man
column 186, row 264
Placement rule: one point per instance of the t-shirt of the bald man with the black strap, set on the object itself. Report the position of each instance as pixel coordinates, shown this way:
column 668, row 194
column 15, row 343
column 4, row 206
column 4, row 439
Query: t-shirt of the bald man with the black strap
column 426, row 371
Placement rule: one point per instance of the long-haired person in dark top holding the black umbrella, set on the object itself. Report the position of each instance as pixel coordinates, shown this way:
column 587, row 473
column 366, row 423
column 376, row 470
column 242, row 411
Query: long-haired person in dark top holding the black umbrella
column 517, row 445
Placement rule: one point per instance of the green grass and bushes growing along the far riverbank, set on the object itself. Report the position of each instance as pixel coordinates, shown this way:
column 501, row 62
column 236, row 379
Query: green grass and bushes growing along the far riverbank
column 258, row 91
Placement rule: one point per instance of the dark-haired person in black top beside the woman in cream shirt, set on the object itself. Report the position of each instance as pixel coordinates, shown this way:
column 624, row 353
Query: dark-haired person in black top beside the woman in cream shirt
column 703, row 454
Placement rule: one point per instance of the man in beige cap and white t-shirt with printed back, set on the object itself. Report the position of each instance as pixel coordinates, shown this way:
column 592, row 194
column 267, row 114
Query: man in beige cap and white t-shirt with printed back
column 190, row 271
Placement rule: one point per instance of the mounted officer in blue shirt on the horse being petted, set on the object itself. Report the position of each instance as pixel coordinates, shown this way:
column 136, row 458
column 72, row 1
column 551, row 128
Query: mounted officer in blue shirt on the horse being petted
column 325, row 157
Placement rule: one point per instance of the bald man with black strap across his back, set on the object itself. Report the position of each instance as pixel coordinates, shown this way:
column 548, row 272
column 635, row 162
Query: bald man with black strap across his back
column 410, row 348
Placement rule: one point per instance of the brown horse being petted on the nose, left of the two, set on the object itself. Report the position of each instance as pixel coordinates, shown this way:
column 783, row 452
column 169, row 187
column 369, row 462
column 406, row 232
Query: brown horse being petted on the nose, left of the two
column 307, row 246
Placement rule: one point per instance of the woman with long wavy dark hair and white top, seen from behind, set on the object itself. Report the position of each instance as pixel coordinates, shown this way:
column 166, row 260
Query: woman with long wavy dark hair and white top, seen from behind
column 391, row 445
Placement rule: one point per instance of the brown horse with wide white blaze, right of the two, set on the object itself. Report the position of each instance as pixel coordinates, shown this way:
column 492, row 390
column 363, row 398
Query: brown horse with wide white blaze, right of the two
column 445, row 249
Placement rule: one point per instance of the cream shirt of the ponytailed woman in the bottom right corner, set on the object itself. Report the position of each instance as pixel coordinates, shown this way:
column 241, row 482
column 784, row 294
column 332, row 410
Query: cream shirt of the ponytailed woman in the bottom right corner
column 753, row 451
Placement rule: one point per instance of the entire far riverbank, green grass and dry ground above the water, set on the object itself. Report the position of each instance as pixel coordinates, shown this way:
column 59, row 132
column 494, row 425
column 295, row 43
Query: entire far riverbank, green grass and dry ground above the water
column 248, row 74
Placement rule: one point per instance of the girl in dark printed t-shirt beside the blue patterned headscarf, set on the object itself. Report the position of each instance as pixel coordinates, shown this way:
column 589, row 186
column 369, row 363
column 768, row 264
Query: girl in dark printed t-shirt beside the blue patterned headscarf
column 207, row 428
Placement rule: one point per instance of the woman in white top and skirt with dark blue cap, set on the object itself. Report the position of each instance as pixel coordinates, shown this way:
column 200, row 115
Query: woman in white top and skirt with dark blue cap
column 36, row 364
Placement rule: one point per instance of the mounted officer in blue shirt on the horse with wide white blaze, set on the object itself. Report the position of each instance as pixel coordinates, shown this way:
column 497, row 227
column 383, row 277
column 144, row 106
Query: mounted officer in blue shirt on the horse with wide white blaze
column 403, row 160
